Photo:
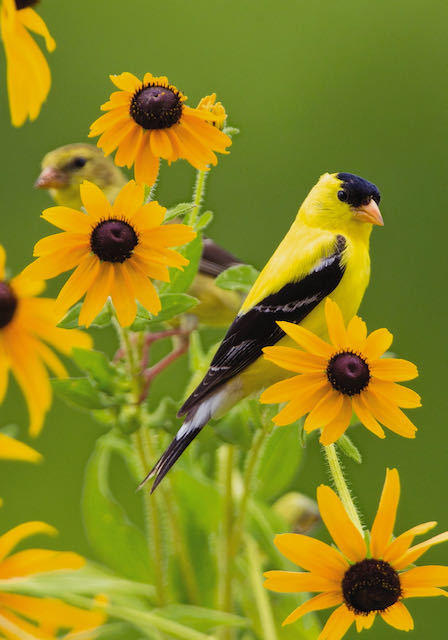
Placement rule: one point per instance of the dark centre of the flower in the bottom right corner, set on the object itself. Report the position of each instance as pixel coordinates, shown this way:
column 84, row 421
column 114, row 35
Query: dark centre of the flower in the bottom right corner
column 371, row 585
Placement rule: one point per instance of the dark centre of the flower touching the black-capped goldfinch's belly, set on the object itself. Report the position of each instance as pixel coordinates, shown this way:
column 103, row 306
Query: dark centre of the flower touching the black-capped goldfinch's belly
column 348, row 373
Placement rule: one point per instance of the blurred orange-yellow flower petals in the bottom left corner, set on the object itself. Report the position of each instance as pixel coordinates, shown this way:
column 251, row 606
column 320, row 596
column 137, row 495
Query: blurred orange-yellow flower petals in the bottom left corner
column 32, row 617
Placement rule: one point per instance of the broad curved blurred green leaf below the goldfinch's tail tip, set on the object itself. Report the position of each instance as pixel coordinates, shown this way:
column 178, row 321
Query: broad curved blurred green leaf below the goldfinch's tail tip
column 117, row 541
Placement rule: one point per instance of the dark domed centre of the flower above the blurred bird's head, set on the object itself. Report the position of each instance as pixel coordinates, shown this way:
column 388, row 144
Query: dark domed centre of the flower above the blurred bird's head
column 156, row 107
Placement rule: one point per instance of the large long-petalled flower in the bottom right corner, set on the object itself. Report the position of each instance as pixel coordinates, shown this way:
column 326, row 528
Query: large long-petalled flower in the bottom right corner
column 363, row 579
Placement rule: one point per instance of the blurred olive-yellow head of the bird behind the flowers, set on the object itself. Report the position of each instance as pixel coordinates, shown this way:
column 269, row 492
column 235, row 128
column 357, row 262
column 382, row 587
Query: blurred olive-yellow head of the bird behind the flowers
column 65, row 168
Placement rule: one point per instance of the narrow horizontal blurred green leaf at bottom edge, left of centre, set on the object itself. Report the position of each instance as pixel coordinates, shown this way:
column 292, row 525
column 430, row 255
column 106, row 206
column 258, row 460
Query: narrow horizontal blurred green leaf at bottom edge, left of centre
column 201, row 618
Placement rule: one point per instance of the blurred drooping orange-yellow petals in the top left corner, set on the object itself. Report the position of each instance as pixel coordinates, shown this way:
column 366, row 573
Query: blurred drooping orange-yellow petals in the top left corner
column 28, row 74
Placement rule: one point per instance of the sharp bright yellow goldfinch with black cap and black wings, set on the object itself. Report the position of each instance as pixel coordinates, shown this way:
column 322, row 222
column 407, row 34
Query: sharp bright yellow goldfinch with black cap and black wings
column 325, row 252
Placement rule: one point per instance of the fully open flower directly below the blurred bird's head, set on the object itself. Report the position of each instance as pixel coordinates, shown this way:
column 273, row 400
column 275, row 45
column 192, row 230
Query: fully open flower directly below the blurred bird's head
column 116, row 249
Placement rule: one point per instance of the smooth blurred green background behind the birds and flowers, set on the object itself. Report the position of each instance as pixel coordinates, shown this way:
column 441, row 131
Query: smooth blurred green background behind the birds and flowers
column 314, row 86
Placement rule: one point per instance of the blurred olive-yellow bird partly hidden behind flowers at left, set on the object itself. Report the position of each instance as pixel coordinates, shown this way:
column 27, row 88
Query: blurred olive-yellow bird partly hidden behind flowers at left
column 63, row 171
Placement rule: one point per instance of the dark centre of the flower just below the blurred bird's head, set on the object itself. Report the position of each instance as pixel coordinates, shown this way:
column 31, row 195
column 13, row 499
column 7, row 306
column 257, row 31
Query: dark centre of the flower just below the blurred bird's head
column 113, row 240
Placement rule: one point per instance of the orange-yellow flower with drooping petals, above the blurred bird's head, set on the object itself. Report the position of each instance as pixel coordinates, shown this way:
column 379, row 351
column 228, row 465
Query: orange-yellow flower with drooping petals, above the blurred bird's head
column 149, row 120
